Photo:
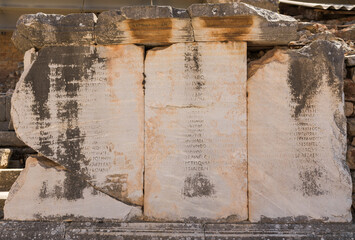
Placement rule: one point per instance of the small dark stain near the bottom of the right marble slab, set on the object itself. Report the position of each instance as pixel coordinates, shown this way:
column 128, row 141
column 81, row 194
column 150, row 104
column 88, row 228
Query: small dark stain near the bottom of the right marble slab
column 310, row 182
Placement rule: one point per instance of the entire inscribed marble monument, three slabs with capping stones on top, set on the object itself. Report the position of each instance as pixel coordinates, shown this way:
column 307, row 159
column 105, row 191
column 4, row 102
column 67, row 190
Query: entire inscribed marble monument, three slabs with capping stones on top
column 156, row 114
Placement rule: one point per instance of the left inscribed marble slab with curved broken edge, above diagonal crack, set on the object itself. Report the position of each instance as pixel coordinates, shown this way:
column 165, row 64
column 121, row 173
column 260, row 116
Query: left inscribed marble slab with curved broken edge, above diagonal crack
column 83, row 108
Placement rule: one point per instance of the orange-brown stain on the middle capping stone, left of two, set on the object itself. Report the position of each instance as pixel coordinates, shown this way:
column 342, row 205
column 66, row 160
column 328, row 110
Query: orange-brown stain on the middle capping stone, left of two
column 156, row 30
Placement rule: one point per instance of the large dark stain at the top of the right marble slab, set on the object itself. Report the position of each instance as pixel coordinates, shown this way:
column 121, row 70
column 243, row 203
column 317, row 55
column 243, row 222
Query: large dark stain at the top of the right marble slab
column 307, row 69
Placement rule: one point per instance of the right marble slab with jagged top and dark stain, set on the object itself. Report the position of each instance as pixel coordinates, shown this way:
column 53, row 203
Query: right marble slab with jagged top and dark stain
column 297, row 136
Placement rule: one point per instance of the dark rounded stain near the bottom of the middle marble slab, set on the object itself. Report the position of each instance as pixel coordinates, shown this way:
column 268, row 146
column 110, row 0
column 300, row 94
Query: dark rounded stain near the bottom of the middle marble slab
column 198, row 185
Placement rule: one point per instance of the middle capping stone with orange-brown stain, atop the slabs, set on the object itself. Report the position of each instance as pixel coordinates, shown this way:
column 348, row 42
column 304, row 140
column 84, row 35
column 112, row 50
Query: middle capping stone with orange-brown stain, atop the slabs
column 150, row 25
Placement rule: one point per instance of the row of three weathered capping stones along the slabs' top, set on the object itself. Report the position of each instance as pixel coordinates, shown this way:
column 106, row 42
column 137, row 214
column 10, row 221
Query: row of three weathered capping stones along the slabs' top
column 157, row 25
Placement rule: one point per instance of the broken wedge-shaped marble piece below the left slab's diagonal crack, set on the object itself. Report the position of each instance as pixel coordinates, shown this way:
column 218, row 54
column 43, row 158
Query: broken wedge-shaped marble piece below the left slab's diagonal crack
column 46, row 191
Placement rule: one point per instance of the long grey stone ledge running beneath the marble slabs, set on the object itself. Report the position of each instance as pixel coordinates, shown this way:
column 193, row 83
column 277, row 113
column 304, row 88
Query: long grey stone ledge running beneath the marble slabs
column 117, row 230
